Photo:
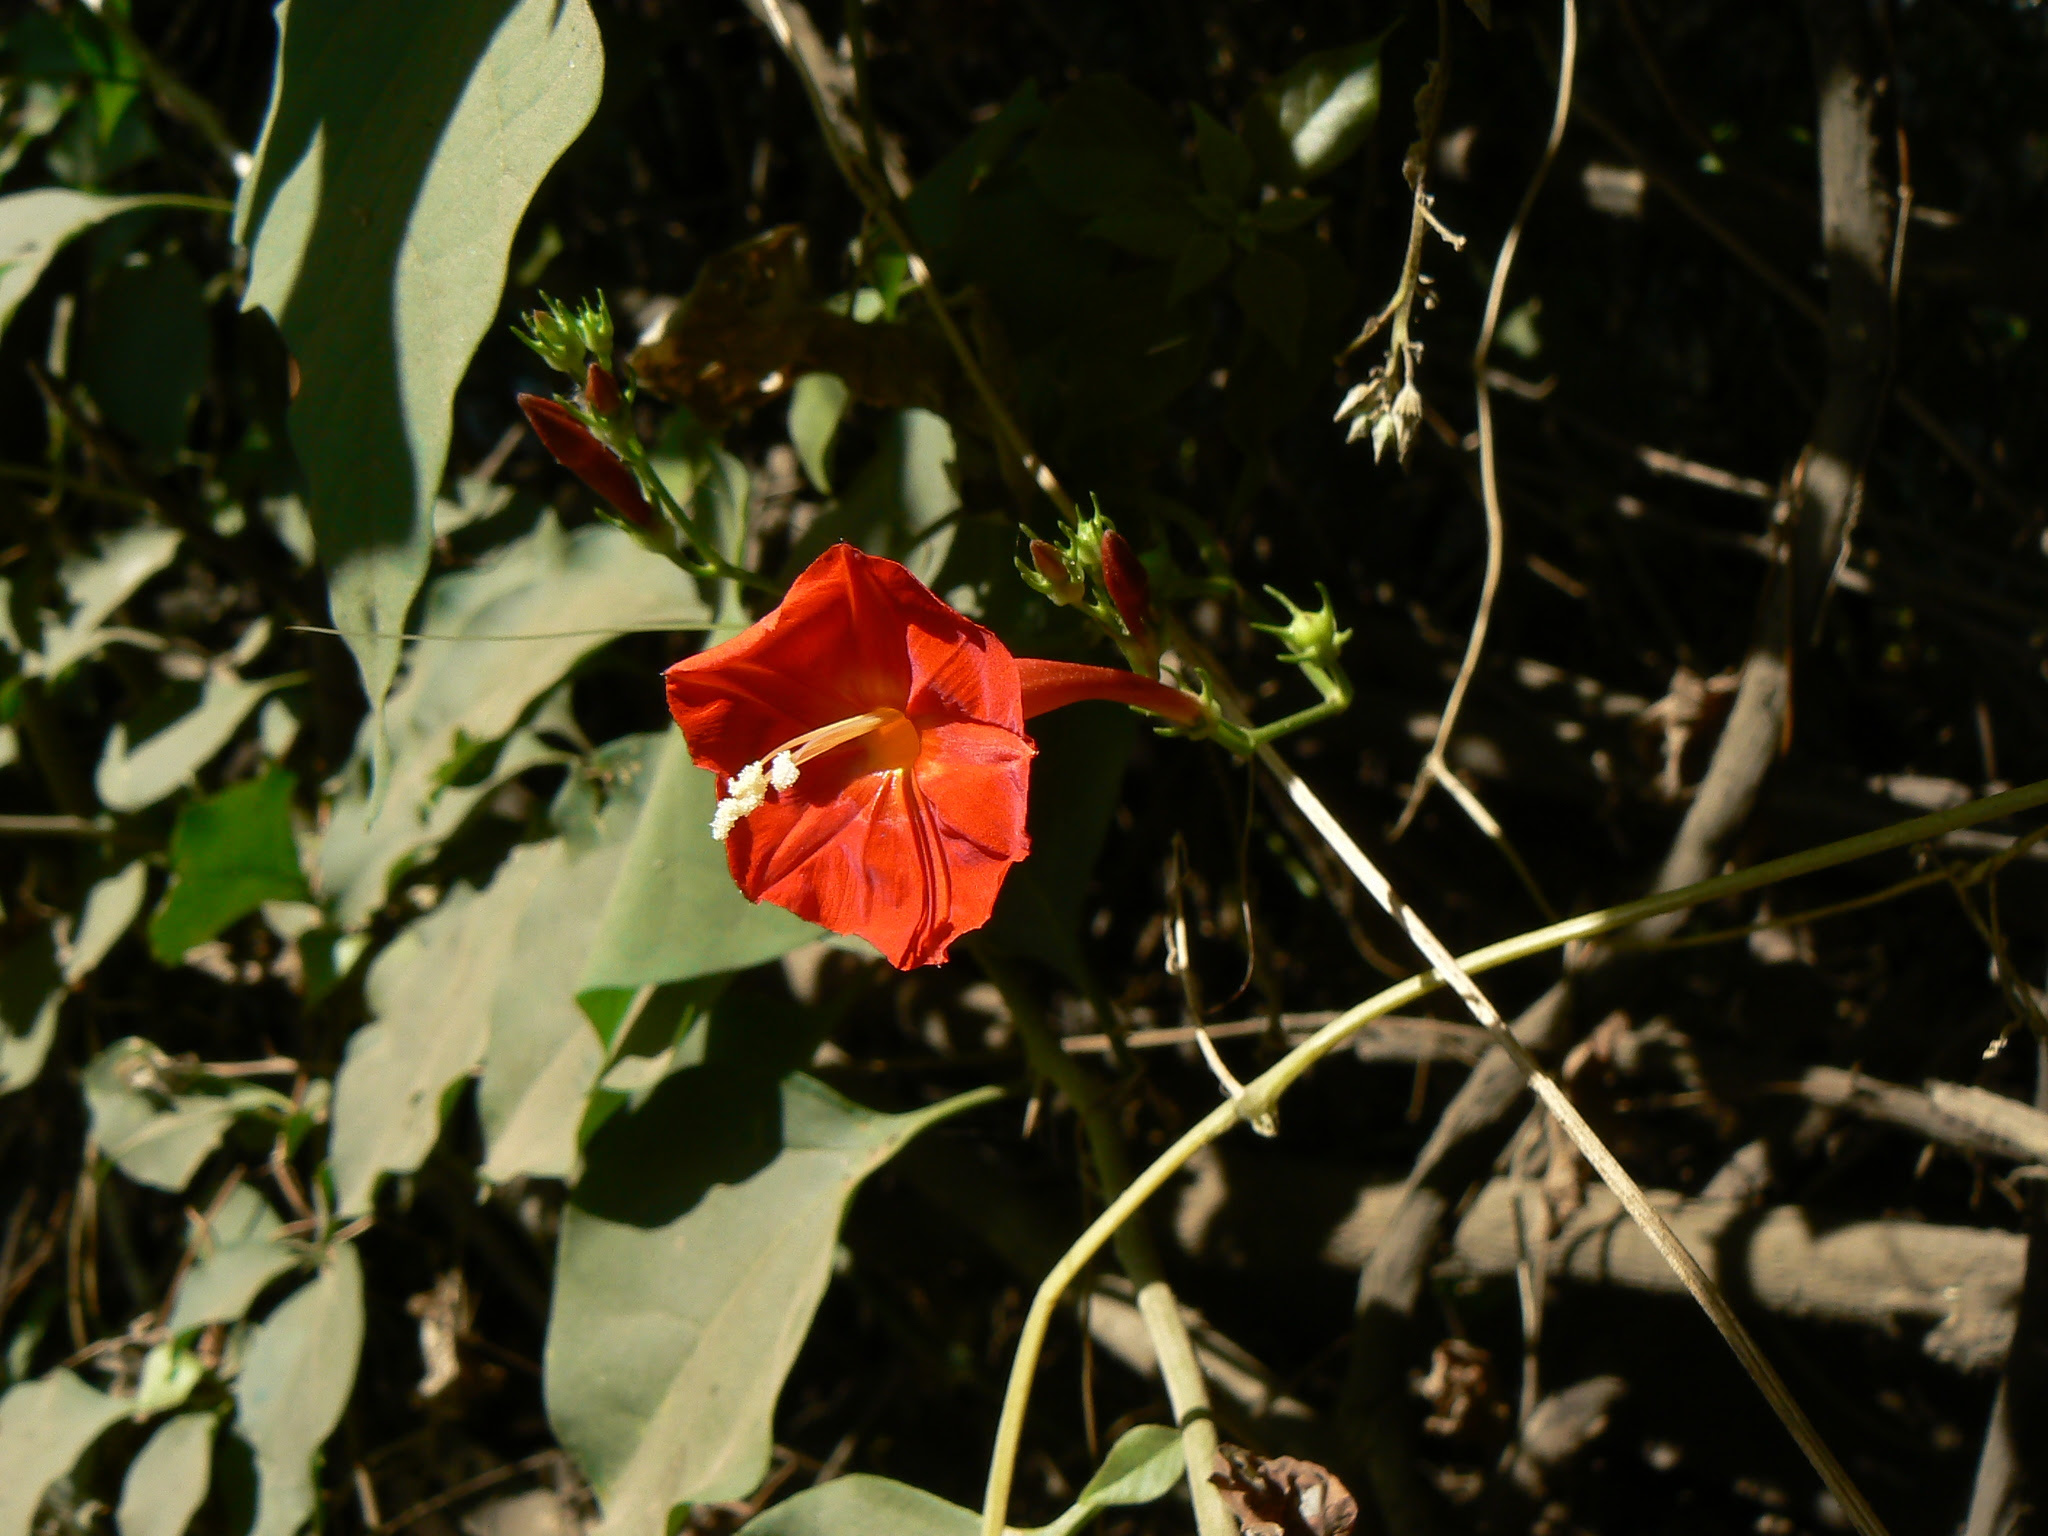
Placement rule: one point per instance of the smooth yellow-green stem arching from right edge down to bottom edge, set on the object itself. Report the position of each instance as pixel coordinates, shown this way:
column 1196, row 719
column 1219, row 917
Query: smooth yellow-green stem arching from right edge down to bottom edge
column 1267, row 1091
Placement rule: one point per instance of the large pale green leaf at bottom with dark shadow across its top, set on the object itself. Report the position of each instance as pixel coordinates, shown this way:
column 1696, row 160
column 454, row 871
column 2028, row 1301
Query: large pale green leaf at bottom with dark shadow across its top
column 693, row 1258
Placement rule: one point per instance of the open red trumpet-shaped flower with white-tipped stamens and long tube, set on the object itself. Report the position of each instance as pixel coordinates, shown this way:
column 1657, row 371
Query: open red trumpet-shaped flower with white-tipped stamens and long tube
column 871, row 753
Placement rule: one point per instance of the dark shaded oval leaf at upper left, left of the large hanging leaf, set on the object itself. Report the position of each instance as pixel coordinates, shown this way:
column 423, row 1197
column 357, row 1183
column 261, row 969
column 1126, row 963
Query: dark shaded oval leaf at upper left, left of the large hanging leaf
column 144, row 351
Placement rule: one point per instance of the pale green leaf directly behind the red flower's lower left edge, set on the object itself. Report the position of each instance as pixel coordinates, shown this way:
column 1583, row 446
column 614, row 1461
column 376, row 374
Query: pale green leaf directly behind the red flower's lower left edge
column 675, row 912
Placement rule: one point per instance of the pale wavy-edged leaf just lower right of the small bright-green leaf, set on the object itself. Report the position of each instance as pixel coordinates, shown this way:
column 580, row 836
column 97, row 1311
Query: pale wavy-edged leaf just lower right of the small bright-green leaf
column 429, row 996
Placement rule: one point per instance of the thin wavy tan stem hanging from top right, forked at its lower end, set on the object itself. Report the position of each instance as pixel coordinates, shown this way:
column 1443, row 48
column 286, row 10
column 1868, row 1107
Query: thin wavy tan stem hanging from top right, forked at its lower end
column 1435, row 769
